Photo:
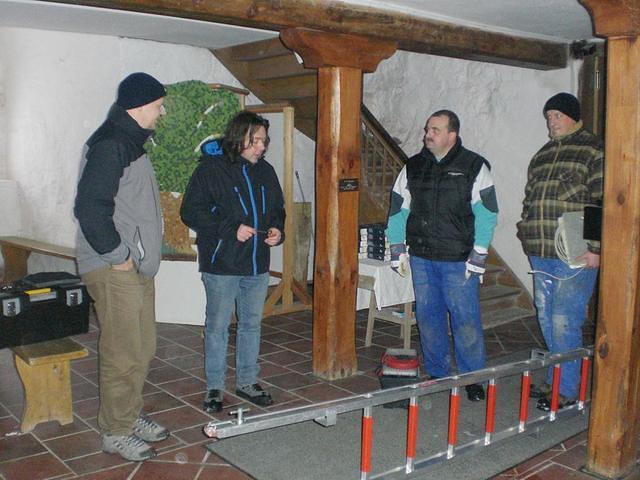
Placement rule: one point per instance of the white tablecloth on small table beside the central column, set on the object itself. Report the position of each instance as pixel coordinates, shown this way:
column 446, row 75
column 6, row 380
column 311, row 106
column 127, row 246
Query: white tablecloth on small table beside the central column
column 390, row 288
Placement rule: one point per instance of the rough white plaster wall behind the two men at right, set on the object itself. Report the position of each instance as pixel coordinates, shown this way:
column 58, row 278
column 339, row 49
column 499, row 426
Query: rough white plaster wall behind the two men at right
column 500, row 110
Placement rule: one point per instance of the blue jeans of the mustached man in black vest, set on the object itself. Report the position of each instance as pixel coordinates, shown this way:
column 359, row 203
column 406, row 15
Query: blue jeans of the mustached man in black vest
column 441, row 287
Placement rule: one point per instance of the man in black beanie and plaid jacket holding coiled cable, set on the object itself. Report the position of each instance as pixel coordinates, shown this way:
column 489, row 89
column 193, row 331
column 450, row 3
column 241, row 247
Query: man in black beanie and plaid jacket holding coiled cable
column 565, row 175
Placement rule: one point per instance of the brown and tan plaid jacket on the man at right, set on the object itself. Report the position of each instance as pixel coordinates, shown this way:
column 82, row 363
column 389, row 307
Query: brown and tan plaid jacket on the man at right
column 565, row 175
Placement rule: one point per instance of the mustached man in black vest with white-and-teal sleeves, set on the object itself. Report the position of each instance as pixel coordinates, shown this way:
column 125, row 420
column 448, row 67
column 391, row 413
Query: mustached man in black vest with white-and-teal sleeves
column 444, row 209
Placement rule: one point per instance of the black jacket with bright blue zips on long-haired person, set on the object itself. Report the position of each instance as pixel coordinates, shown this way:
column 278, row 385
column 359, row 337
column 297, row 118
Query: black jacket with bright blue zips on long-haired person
column 224, row 193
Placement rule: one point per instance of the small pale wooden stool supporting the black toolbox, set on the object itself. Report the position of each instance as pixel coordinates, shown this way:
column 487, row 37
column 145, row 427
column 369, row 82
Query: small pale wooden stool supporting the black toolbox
column 44, row 369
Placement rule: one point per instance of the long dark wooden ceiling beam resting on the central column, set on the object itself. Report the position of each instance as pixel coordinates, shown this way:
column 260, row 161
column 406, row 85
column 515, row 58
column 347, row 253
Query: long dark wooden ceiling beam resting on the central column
column 412, row 33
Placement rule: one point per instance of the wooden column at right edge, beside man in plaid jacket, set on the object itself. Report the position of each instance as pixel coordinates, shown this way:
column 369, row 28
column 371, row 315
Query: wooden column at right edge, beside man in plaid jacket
column 613, row 430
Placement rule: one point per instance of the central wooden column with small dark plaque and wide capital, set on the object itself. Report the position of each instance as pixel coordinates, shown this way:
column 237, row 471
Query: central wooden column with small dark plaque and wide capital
column 340, row 60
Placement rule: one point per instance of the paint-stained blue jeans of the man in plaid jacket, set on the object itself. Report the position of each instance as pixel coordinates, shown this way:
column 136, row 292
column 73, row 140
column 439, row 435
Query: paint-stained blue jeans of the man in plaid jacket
column 562, row 309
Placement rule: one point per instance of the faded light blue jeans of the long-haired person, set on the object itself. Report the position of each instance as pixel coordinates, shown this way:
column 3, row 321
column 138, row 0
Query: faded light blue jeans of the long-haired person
column 223, row 291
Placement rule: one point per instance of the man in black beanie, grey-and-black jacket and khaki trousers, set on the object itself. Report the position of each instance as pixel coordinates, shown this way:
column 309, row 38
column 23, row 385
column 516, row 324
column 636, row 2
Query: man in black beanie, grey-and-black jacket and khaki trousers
column 118, row 254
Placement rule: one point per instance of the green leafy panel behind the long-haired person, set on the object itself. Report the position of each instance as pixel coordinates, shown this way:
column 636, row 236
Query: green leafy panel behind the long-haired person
column 195, row 113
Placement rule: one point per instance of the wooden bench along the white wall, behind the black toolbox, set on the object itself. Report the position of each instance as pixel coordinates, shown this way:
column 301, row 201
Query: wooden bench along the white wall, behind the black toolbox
column 16, row 251
